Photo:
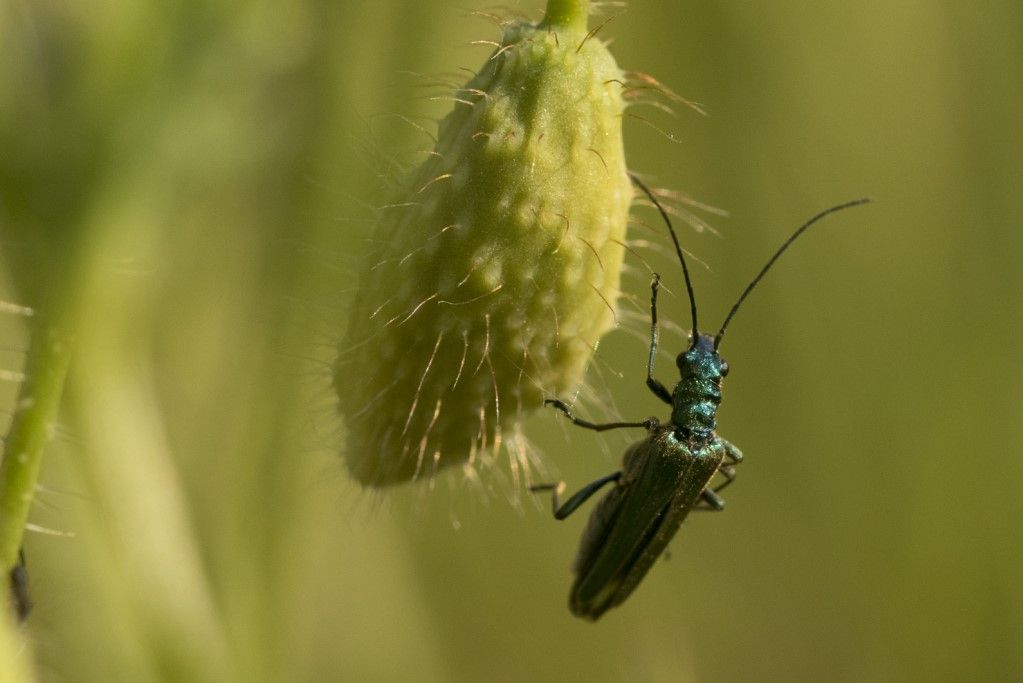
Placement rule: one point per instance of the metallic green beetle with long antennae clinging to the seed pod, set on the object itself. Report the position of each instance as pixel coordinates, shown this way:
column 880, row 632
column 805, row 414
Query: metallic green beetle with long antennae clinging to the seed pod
column 668, row 474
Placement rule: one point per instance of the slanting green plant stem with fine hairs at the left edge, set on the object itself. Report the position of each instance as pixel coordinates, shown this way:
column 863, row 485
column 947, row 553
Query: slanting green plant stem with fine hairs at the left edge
column 35, row 414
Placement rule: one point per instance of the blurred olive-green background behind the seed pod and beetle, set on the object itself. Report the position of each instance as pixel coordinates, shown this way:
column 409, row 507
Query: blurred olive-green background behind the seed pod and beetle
column 196, row 180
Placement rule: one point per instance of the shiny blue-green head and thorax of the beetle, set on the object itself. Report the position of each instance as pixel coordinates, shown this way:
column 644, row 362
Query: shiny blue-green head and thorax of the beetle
column 696, row 399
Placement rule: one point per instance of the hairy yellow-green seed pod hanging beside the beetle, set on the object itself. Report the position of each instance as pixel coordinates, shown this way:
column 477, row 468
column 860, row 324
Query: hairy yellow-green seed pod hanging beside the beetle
column 497, row 272
